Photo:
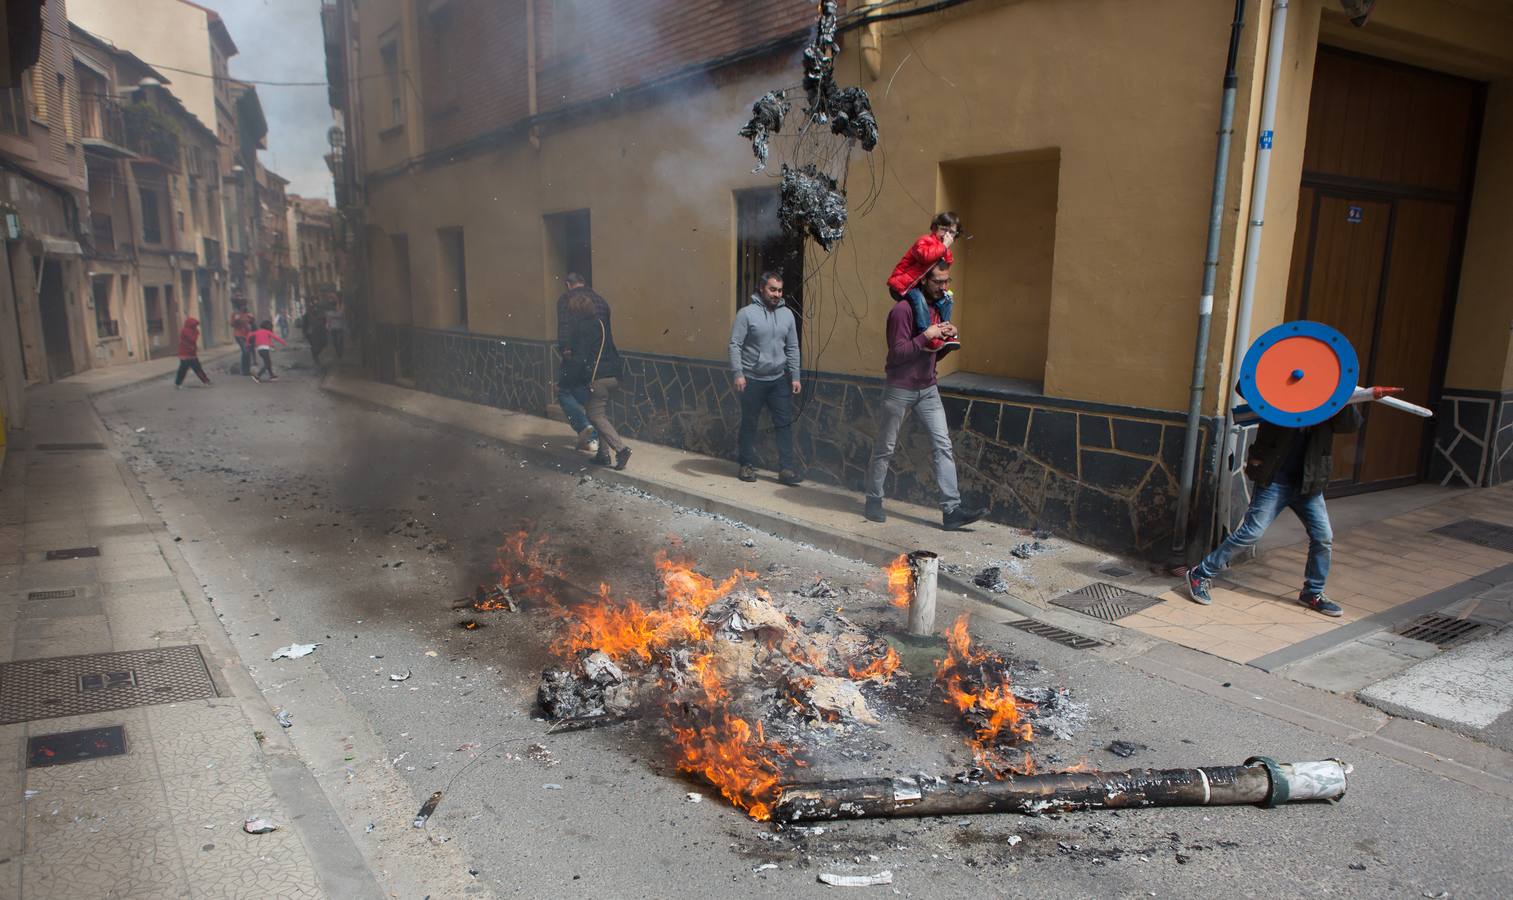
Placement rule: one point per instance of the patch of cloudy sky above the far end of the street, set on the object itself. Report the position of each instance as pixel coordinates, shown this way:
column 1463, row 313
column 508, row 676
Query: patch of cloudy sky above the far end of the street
column 281, row 42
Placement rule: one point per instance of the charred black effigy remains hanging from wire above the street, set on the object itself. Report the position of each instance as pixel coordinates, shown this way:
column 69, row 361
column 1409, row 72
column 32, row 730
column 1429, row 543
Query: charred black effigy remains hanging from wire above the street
column 813, row 200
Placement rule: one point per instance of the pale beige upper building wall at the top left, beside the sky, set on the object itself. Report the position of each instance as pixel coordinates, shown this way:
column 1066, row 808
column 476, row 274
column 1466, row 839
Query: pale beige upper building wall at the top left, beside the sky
column 163, row 33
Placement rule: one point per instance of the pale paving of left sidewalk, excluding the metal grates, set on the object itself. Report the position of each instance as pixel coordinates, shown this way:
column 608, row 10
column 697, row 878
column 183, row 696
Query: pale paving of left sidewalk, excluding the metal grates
column 166, row 819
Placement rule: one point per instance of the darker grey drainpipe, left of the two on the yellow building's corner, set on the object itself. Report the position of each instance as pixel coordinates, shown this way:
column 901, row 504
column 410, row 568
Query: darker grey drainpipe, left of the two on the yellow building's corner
column 1211, row 264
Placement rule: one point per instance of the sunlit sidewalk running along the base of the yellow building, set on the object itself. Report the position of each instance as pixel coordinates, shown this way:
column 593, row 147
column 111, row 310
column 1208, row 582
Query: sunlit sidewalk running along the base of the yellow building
column 1385, row 571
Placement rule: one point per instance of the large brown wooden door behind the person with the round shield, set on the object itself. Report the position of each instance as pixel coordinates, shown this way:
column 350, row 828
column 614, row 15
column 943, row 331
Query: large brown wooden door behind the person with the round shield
column 1381, row 223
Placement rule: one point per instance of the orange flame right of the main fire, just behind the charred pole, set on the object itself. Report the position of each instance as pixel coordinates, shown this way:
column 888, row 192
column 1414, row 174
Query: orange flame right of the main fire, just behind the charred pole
column 992, row 704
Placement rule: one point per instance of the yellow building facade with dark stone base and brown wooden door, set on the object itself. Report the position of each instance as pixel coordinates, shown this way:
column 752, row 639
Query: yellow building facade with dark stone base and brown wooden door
column 1078, row 143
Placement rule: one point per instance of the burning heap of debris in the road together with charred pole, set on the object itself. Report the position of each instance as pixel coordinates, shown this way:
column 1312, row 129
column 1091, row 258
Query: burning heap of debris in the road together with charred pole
column 744, row 691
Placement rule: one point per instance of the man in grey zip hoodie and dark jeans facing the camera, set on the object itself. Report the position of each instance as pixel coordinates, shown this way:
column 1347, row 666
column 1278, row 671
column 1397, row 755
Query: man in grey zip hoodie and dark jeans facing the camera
column 765, row 359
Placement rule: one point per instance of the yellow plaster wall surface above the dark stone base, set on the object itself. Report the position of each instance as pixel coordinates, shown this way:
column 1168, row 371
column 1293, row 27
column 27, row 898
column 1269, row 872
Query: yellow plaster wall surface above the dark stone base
column 1128, row 104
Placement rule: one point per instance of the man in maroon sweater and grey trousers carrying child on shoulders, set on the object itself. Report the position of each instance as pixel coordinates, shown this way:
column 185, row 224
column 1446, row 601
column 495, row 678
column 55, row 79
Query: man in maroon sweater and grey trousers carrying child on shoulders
column 910, row 385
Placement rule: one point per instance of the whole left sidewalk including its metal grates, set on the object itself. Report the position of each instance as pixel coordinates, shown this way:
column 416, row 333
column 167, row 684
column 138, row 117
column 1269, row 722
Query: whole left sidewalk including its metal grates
column 122, row 638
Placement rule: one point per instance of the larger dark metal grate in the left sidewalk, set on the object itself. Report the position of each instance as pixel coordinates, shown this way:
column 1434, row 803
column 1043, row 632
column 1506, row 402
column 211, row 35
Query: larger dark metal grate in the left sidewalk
column 96, row 683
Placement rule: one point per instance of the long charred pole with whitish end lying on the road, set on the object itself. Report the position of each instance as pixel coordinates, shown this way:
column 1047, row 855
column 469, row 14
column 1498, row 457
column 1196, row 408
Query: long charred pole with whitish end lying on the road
column 1261, row 781
